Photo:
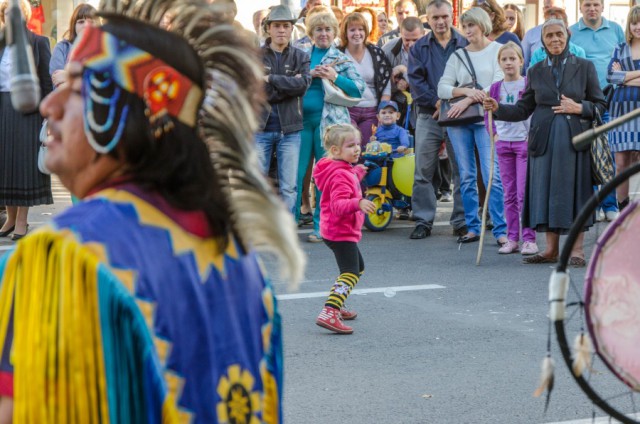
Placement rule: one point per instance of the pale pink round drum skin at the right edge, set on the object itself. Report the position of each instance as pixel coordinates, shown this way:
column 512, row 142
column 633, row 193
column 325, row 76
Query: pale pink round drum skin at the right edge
column 612, row 297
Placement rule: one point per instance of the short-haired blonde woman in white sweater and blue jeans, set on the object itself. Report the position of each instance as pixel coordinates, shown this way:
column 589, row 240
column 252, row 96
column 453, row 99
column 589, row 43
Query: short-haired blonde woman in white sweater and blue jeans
column 483, row 56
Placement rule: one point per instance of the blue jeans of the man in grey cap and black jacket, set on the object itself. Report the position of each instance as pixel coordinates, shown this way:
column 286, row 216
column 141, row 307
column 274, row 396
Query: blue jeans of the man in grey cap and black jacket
column 287, row 148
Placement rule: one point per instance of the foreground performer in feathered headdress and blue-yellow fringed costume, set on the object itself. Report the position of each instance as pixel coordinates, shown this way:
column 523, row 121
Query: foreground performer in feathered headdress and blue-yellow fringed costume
column 145, row 303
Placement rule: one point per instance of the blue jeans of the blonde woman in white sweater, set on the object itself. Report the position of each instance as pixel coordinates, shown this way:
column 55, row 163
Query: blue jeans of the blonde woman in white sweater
column 464, row 139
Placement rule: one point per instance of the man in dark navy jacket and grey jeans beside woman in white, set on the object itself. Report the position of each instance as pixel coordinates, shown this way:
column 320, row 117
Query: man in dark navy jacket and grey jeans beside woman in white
column 427, row 60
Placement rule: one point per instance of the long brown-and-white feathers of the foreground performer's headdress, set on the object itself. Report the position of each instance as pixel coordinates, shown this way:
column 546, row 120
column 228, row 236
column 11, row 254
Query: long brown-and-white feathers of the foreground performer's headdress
column 226, row 119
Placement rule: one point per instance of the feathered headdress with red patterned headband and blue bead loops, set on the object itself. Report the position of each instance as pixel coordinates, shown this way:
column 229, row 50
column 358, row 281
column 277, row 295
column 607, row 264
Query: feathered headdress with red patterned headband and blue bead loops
column 221, row 101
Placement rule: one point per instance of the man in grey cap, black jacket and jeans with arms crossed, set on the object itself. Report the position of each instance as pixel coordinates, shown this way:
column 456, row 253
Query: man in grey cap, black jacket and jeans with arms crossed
column 286, row 81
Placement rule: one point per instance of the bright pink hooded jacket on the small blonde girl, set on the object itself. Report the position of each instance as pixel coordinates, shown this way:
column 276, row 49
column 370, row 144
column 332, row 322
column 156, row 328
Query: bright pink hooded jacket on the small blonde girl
column 340, row 215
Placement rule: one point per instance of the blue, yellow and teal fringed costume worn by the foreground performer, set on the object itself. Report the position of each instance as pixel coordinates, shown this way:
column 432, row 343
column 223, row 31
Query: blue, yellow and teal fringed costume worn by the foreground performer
column 149, row 293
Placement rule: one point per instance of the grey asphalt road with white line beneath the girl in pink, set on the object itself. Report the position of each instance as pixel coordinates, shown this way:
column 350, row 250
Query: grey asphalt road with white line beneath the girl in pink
column 437, row 340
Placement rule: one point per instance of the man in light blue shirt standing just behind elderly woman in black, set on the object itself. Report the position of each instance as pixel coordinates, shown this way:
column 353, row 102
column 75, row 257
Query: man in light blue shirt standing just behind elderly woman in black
column 598, row 37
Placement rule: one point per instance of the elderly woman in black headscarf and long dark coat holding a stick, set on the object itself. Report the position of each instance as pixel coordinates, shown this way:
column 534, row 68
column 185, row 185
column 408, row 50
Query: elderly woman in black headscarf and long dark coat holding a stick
column 563, row 95
